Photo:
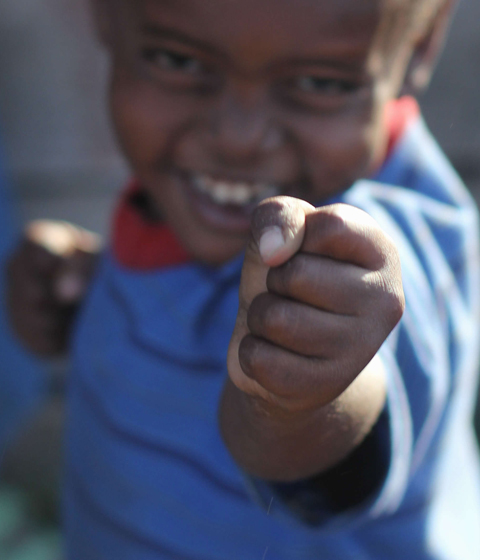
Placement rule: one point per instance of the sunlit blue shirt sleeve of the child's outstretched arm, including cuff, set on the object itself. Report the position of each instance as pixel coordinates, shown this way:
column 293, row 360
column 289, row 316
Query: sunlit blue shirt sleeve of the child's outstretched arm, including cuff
column 430, row 358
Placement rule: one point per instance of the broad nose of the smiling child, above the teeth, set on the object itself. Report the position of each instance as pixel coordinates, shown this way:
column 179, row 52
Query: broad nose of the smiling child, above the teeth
column 242, row 130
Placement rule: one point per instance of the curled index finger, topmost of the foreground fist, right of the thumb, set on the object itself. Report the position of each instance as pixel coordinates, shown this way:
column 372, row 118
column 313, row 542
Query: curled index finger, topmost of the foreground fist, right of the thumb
column 348, row 234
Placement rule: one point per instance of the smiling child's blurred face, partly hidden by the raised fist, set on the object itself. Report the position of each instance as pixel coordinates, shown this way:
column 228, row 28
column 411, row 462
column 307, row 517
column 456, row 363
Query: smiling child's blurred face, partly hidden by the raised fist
column 221, row 103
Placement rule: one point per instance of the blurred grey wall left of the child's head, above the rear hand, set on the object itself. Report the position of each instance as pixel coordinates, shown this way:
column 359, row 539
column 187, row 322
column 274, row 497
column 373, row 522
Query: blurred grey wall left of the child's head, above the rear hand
column 59, row 149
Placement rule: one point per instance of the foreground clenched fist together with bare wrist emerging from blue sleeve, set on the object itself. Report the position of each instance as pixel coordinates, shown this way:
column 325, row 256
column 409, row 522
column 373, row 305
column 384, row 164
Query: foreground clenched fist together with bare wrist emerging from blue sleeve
column 321, row 290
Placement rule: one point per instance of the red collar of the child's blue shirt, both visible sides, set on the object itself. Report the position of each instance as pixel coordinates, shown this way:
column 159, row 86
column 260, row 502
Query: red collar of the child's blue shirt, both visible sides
column 145, row 245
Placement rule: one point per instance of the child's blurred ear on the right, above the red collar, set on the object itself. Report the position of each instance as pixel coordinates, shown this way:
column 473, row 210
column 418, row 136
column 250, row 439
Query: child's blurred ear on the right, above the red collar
column 427, row 49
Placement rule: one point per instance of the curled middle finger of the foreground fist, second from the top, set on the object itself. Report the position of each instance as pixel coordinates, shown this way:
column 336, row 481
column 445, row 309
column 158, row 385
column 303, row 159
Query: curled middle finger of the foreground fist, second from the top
column 324, row 283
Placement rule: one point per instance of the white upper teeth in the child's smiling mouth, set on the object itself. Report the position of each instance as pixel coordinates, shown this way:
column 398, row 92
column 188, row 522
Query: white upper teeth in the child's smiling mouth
column 228, row 192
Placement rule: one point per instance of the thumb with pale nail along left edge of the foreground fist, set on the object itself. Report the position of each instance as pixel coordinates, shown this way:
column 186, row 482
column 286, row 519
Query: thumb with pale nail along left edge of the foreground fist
column 278, row 229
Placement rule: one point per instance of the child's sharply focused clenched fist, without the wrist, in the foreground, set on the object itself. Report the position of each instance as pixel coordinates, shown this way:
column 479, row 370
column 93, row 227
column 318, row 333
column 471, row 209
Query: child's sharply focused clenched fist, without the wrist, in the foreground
column 321, row 290
